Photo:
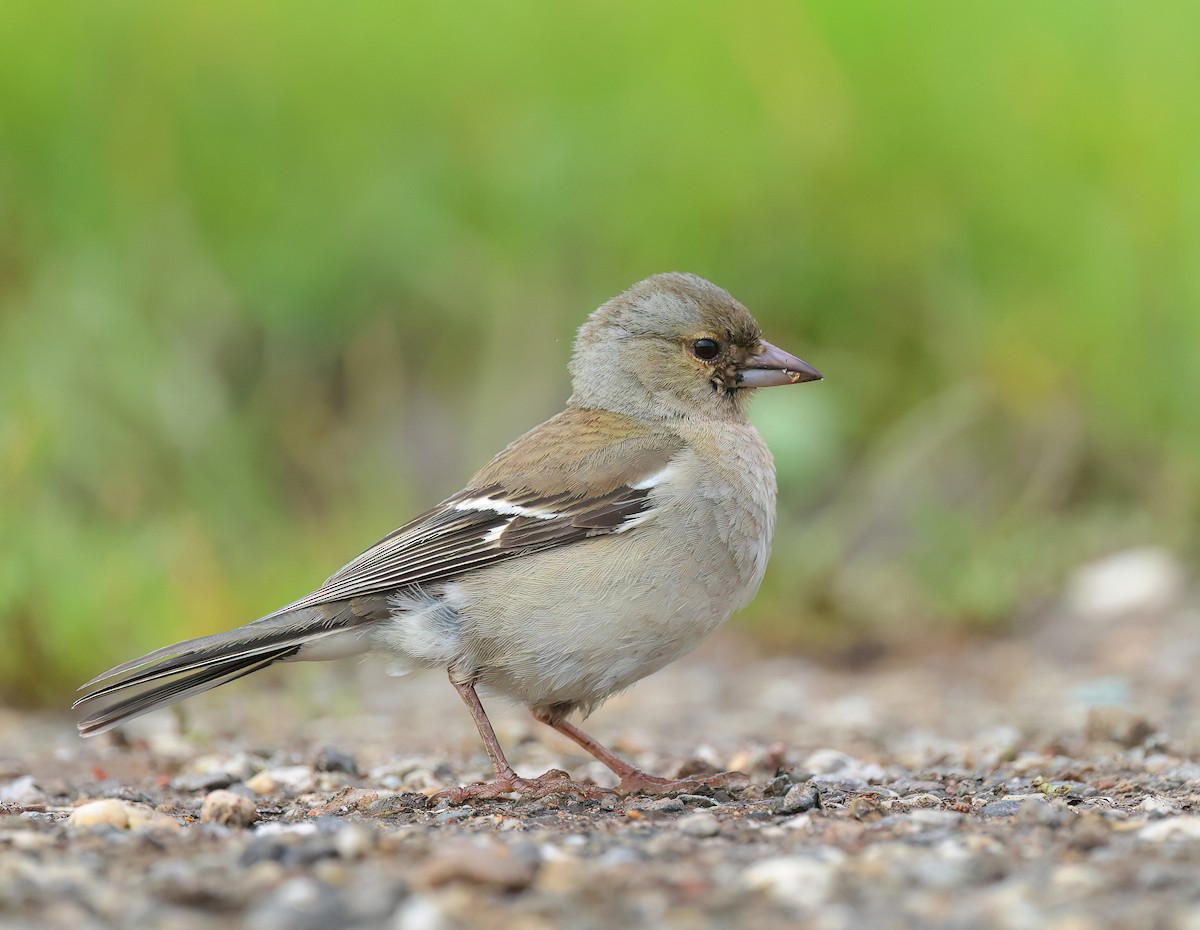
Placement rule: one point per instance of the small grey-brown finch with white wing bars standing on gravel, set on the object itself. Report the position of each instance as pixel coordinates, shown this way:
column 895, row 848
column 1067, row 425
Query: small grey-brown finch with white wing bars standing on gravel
column 589, row 554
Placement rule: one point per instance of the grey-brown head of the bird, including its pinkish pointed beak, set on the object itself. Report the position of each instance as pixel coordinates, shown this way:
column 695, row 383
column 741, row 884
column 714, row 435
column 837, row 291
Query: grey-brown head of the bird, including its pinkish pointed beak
column 676, row 345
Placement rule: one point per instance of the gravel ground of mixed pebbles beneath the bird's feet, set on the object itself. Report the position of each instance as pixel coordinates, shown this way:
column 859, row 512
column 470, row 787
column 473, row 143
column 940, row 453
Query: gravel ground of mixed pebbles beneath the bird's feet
column 1045, row 782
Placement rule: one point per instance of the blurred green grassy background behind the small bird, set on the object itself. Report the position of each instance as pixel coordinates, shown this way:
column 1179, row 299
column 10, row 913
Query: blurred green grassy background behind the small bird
column 277, row 278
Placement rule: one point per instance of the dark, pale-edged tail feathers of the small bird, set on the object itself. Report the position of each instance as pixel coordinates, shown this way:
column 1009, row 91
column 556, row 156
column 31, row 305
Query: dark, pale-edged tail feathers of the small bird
column 190, row 668
